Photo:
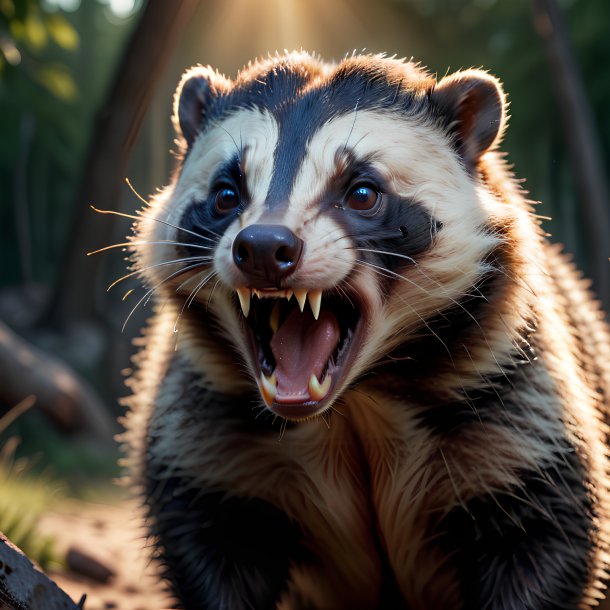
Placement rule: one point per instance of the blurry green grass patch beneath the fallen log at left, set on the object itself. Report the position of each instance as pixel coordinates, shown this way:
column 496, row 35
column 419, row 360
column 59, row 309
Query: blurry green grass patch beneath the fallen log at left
column 39, row 467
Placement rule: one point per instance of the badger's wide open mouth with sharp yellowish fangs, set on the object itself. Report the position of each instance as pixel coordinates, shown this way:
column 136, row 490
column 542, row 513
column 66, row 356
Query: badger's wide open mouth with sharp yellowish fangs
column 303, row 343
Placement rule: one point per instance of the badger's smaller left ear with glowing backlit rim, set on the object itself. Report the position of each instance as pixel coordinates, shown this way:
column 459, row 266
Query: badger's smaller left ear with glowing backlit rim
column 194, row 96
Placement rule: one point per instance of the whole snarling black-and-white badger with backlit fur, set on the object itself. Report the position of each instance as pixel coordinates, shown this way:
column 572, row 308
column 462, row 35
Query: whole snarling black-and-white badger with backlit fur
column 369, row 381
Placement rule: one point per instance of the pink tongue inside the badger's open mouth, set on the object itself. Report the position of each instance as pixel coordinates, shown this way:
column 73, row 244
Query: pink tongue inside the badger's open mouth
column 302, row 346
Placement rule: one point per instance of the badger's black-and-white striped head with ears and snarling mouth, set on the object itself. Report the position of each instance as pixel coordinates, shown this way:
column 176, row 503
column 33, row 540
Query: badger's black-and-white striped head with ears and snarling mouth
column 322, row 214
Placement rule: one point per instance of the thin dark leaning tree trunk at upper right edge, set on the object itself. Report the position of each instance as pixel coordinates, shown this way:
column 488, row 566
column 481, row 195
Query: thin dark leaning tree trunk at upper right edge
column 583, row 141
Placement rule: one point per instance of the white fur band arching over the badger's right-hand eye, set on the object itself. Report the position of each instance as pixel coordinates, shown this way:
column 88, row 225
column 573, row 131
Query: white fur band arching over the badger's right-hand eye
column 415, row 158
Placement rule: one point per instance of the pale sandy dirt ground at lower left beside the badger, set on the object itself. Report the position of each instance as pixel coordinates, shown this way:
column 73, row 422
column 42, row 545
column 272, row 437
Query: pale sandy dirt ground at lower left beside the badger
column 112, row 537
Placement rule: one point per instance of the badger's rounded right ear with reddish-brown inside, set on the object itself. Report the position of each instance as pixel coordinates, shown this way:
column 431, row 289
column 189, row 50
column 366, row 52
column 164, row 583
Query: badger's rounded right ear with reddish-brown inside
column 473, row 106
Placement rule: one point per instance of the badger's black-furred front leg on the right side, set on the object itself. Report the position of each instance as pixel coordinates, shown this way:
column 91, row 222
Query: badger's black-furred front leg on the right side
column 527, row 549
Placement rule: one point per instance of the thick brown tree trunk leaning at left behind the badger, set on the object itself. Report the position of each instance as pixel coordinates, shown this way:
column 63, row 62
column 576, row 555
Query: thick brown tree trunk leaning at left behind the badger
column 117, row 125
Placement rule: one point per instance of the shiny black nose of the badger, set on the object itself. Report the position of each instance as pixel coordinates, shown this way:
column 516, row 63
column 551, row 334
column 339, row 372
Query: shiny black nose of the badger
column 267, row 254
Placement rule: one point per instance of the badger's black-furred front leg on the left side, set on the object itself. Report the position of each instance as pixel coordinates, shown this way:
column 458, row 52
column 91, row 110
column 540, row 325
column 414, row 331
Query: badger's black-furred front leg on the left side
column 220, row 552
